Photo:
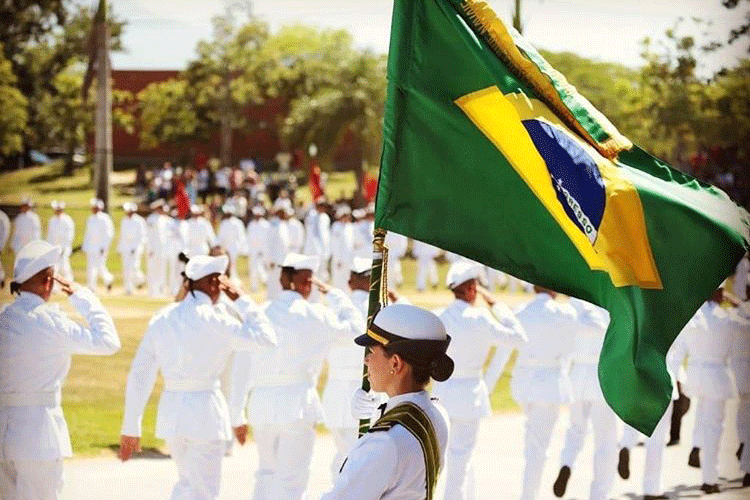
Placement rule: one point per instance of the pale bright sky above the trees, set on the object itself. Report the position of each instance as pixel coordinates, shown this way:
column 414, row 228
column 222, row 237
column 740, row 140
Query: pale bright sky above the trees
column 162, row 34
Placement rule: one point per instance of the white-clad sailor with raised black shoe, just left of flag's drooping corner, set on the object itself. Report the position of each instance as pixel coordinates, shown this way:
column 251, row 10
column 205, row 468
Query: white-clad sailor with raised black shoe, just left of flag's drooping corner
column 589, row 405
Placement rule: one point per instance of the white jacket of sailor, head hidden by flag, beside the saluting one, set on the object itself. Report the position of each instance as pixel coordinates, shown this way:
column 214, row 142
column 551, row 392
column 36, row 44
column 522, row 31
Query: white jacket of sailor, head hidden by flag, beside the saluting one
column 541, row 372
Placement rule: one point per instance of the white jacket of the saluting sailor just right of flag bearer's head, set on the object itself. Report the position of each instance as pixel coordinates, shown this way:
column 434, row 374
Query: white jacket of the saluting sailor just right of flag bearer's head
column 473, row 330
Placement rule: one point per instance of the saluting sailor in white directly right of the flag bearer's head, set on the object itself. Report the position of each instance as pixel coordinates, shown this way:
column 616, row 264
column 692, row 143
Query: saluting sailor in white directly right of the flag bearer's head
column 473, row 331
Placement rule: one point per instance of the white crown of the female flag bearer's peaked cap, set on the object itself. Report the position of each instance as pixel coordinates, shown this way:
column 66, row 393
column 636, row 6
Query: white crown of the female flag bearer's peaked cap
column 410, row 322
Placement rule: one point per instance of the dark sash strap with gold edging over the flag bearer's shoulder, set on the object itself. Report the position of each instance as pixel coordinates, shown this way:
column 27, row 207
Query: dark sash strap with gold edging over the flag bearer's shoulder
column 414, row 419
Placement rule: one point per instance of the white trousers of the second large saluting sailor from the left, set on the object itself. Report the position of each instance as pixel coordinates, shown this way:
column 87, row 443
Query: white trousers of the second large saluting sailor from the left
column 198, row 464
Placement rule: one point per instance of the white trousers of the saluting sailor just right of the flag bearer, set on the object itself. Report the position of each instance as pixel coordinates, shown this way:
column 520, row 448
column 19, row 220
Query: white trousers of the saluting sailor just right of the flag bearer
column 459, row 463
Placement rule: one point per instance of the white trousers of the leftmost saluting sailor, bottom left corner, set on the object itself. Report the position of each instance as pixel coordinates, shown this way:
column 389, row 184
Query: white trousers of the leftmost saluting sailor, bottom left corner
column 30, row 479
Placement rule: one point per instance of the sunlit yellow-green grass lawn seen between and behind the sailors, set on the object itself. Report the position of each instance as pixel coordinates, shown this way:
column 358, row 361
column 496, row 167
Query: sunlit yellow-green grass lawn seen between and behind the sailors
column 93, row 393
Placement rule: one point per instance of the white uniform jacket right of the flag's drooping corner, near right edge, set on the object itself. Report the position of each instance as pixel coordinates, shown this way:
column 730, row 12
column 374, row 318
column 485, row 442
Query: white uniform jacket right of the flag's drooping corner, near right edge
column 708, row 338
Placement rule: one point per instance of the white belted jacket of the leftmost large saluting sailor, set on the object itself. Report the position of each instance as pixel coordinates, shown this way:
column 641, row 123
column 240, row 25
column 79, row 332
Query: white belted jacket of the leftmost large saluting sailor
column 36, row 342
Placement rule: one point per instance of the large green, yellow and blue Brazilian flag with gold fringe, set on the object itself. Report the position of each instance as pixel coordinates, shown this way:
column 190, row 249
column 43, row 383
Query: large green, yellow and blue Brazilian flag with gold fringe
column 490, row 153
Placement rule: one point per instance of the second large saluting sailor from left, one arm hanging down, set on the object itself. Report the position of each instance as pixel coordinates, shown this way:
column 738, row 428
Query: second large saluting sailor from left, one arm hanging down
column 190, row 342
